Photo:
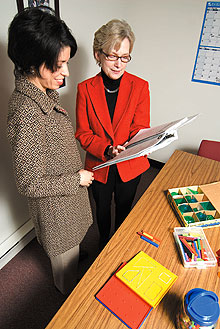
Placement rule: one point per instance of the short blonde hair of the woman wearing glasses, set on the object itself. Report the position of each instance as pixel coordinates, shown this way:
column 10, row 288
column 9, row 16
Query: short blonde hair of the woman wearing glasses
column 110, row 36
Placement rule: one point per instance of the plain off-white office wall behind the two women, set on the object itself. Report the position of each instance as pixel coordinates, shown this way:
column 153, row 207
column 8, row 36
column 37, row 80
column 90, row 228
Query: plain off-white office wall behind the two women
column 167, row 35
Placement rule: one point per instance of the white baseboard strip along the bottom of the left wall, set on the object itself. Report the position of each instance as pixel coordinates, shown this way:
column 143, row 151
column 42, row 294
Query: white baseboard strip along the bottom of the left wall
column 16, row 242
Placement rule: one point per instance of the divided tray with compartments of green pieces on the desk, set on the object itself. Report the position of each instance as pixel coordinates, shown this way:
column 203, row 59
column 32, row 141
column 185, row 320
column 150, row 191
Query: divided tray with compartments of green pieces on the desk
column 196, row 205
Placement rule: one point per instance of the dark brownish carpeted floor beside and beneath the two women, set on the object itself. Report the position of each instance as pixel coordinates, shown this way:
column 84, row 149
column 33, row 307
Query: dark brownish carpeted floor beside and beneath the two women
column 28, row 298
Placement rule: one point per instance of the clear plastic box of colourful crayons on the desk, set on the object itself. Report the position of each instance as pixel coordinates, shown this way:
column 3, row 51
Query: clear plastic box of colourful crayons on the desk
column 194, row 248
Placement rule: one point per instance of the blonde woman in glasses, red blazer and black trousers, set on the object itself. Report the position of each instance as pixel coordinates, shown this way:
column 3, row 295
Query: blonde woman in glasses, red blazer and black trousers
column 110, row 109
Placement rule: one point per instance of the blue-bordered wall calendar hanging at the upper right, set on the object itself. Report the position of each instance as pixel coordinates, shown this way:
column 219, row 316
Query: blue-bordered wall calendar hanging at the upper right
column 207, row 63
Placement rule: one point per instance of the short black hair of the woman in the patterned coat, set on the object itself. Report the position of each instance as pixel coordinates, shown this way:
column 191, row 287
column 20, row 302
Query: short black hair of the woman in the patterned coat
column 36, row 37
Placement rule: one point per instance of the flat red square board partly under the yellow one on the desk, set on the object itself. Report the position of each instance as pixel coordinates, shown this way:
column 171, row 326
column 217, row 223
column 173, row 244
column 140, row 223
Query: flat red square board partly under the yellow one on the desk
column 125, row 304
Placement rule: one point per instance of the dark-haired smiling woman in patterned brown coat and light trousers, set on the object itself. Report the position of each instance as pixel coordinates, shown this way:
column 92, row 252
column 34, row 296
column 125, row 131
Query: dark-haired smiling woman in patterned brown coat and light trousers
column 47, row 165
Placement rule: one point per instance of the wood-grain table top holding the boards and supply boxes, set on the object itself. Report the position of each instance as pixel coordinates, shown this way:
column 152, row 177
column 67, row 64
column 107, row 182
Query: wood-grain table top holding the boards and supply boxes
column 154, row 214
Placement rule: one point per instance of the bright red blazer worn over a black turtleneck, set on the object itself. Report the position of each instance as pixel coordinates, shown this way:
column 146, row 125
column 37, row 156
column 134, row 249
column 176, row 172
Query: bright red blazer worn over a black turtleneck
column 94, row 128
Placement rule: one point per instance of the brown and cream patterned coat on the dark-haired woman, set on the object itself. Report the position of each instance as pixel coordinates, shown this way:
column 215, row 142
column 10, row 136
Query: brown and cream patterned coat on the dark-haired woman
column 46, row 166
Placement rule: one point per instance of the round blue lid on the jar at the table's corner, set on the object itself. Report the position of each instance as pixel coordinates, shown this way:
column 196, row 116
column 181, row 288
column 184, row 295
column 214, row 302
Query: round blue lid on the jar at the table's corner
column 202, row 306
